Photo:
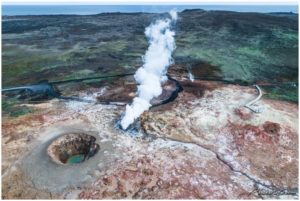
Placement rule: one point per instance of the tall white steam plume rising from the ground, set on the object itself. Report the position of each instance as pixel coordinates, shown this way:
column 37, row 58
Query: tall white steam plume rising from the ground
column 153, row 73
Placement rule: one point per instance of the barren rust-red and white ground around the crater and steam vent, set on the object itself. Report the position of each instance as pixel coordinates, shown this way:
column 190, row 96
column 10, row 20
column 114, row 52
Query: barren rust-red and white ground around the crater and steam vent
column 204, row 144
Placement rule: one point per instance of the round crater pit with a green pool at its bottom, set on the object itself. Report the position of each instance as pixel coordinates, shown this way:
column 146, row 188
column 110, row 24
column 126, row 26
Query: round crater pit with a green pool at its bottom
column 73, row 148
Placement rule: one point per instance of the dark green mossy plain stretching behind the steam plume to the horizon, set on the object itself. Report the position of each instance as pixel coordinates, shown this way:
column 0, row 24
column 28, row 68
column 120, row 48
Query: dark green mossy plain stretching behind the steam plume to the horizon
column 245, row 47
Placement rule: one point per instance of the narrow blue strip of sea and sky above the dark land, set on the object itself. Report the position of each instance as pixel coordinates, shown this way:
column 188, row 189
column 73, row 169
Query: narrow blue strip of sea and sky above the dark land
column 95, row 9
